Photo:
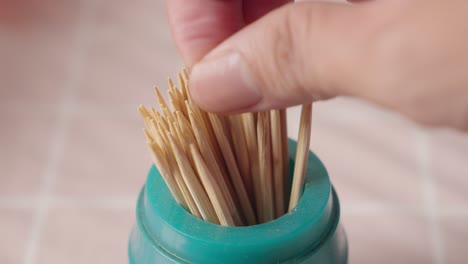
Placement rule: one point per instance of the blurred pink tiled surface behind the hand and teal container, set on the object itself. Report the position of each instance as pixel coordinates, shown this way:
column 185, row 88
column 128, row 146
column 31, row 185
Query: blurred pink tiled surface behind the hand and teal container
column 73, row 158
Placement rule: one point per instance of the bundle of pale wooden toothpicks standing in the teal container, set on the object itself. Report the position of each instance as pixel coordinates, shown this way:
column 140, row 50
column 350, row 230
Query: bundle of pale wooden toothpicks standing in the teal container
column 230, row 170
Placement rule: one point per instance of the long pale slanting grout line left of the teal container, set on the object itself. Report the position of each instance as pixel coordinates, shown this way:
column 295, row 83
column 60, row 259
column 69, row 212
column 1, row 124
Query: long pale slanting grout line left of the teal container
column 57, row 146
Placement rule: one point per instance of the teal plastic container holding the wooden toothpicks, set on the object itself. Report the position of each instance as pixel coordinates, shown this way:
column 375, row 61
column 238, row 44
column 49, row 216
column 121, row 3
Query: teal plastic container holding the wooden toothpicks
column 311, row 233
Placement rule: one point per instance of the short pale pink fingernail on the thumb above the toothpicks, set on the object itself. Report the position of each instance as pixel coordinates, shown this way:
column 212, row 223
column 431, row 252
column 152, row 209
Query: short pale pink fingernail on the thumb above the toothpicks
column 224, row 83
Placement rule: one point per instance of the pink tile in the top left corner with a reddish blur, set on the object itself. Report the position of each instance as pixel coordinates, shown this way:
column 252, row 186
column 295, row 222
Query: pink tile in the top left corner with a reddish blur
column 37, row 39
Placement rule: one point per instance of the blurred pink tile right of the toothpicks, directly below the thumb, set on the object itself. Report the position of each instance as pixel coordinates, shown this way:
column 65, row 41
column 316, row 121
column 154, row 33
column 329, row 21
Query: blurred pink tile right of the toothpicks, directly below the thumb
column 370, row 154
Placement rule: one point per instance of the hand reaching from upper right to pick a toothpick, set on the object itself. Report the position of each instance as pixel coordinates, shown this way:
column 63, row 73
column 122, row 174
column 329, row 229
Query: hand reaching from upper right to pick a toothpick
column 408, row 56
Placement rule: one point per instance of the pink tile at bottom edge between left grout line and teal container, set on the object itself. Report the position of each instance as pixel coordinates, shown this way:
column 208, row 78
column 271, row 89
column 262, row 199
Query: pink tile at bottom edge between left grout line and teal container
column 85, row 235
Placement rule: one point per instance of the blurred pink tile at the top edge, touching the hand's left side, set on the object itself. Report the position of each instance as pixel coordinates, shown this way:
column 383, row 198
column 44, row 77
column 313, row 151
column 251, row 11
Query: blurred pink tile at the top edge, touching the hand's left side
column 129, row 51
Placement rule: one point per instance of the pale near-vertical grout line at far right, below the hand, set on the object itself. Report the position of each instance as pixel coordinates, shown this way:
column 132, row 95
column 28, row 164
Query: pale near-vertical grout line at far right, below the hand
column 430, row 197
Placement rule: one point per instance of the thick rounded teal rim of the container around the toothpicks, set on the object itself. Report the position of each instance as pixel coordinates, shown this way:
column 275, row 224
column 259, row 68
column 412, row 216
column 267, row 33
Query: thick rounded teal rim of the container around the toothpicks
column 297, row 232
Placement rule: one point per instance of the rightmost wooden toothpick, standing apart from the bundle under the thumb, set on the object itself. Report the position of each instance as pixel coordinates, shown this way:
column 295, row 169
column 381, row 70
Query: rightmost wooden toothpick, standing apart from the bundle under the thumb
column 302, row 155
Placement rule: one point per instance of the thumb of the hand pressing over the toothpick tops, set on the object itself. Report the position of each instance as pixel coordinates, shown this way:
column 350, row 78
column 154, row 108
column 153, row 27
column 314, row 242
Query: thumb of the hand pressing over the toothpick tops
column 296, row 54
